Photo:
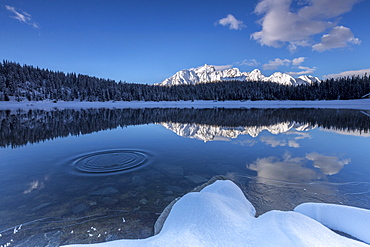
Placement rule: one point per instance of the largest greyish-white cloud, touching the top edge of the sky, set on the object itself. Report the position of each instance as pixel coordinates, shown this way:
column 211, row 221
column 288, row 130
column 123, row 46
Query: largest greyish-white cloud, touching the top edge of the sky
column 281, row 25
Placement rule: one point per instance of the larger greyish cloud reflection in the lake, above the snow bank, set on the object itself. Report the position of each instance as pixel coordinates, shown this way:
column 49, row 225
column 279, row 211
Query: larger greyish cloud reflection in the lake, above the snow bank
column 289, row 169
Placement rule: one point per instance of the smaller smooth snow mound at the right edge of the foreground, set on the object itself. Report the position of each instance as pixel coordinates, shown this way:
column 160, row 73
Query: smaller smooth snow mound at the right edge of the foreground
column 351, row 220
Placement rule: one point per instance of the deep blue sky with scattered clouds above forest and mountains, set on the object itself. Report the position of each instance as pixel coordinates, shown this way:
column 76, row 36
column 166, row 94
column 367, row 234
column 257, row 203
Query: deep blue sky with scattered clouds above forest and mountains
column 150, row 40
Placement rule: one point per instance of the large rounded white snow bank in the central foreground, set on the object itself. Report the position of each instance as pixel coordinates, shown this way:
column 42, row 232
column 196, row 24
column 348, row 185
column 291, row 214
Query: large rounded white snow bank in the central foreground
column 220, row 215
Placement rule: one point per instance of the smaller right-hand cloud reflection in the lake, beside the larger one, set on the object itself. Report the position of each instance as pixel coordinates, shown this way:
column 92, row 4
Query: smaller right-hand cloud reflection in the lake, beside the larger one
column 329, row 165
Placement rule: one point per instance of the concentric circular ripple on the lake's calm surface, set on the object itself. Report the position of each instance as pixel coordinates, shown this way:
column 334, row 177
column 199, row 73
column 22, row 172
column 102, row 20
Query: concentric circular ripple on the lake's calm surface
column 110, row 161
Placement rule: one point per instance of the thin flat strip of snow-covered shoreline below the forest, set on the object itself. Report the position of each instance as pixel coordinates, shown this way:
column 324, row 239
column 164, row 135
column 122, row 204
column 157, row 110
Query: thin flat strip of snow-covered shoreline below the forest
column 360, row 104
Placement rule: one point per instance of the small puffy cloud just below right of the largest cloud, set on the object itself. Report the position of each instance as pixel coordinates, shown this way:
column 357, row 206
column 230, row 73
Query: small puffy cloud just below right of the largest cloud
column 338, row 37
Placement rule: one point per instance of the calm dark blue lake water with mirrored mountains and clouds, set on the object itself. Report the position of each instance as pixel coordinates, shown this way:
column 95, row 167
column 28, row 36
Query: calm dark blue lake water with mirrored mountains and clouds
column 95, row 175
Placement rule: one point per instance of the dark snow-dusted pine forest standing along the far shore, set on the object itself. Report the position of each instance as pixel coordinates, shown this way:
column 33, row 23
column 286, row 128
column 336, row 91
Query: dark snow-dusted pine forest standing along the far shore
column 25, row 82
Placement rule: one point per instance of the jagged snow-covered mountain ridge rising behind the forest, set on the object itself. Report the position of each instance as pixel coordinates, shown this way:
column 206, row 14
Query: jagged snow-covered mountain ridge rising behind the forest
column 208, row 73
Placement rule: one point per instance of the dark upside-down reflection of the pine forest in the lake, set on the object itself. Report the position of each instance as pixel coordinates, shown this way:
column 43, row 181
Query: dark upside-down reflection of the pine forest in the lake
column 21, row 127
